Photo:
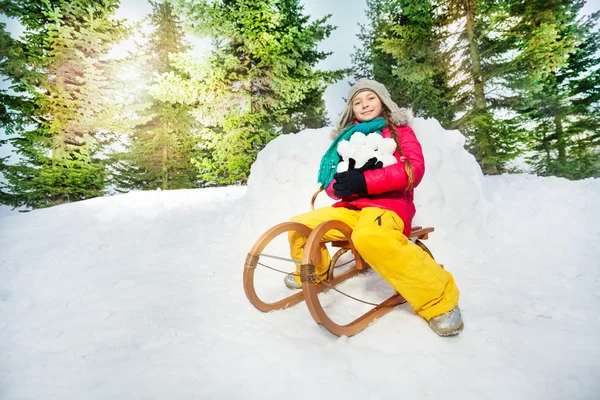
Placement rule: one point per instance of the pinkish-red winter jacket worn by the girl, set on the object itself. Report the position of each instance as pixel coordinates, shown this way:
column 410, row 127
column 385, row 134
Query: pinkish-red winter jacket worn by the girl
column 387, row 187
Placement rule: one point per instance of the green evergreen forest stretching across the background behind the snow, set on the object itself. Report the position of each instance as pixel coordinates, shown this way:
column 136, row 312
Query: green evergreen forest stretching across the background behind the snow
column 518, row 78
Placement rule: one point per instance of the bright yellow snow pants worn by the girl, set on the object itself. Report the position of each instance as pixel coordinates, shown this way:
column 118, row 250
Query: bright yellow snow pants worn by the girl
column 378, row 237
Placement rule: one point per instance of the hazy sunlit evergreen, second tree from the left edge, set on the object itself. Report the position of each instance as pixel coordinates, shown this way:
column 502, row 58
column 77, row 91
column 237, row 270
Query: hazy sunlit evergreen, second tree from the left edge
column 164, row 142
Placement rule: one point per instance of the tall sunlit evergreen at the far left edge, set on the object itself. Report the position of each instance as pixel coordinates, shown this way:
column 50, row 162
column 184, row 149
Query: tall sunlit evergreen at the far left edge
column 52, row 112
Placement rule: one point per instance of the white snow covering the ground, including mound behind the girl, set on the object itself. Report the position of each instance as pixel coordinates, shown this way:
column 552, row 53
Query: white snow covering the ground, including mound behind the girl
column 139, row 296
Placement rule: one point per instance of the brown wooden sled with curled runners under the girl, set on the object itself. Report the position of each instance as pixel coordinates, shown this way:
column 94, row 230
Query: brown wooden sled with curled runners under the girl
column 311, row 284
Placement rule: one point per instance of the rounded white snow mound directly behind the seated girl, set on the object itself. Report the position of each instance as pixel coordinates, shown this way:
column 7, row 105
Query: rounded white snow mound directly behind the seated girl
column 450, row 196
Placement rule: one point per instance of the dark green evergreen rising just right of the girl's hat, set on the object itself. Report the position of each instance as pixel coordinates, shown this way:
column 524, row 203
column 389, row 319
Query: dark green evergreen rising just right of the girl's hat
column 402, row 48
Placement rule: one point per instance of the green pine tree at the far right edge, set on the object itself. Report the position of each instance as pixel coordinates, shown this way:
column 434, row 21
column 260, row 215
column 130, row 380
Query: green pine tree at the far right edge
column 557, row 85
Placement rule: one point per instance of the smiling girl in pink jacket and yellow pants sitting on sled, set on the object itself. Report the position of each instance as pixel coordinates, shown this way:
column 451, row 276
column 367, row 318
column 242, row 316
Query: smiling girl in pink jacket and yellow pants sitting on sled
column 377, row 203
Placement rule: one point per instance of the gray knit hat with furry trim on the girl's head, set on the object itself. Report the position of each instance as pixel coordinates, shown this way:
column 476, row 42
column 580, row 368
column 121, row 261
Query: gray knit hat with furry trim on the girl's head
column 399, row 116
